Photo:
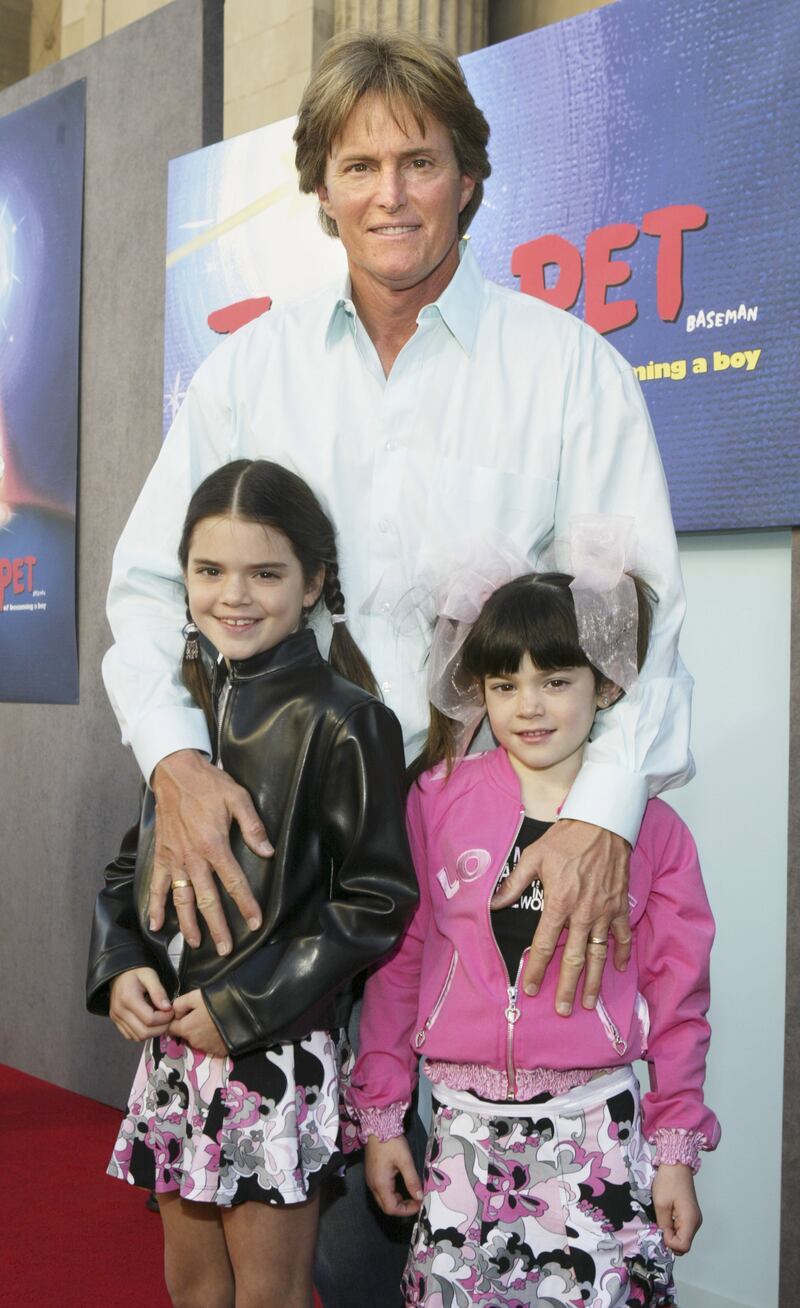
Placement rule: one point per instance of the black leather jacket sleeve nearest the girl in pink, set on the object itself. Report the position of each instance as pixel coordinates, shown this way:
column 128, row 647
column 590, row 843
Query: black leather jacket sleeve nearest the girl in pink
column 286, row 990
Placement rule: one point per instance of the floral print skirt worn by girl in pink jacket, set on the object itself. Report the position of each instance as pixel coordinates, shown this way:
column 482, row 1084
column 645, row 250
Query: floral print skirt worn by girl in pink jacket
column 547, row 1207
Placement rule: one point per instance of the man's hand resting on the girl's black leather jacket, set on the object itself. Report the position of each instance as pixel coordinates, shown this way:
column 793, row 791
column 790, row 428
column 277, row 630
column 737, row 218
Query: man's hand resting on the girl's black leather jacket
column 195, row 805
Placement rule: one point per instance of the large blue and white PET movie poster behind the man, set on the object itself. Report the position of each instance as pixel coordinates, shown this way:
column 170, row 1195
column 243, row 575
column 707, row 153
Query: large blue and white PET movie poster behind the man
column 645, row 179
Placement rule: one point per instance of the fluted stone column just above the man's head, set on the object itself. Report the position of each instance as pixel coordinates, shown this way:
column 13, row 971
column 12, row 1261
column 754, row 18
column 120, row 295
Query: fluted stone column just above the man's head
column 463, row 24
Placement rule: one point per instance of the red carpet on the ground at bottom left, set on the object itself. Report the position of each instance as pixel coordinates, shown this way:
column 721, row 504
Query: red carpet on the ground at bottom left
column 71, row 1237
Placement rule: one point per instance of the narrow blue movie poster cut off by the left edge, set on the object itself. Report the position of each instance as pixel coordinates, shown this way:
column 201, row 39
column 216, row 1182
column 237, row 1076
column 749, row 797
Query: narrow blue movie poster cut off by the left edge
column 41, row 222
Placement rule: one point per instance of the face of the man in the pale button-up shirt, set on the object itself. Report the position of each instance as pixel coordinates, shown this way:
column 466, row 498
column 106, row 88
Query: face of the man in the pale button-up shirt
column 395, row 194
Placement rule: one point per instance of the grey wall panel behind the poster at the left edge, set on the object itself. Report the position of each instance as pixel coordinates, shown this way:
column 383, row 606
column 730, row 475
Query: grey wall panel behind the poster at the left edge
column 69, row 789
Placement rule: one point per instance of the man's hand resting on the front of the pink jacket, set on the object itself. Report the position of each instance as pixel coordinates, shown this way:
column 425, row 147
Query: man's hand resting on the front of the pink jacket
column 584, row 872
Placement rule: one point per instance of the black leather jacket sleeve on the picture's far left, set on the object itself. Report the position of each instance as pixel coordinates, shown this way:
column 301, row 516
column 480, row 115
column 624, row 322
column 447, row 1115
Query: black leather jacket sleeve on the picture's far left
column 117, row 941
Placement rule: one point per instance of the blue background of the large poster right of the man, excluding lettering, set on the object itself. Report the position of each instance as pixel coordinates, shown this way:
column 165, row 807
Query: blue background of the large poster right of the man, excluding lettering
column 633, row 108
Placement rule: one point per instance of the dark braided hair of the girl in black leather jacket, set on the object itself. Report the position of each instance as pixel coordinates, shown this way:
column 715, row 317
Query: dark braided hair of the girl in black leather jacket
column 265, row 492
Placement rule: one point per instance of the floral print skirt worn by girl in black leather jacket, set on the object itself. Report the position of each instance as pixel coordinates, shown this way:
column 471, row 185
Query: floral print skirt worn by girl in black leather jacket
column 262, row 1126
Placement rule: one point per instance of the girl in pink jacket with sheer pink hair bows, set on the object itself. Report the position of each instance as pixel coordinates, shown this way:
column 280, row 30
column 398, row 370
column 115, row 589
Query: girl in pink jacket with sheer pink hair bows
column 546, row 1180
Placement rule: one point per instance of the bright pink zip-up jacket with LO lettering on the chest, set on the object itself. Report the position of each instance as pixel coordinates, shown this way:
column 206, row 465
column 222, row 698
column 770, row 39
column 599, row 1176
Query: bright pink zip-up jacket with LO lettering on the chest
column 446, row 992
